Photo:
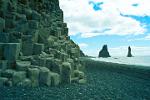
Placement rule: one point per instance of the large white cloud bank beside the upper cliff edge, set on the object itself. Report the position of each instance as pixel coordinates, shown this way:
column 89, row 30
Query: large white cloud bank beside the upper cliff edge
column 81, row 17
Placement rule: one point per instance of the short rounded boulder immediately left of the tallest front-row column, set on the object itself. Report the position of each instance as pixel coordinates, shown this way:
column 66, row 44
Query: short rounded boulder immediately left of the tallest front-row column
column 55, row 79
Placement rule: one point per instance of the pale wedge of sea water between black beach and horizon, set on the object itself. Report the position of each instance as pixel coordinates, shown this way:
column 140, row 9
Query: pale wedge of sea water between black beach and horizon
column 137, row 60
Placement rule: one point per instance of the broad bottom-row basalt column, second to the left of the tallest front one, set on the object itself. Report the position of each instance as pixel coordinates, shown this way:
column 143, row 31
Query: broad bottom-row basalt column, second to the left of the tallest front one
column 44, row 77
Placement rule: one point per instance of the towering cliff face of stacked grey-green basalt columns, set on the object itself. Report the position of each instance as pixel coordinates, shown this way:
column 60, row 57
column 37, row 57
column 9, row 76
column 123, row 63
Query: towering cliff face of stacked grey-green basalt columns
column 35, row 48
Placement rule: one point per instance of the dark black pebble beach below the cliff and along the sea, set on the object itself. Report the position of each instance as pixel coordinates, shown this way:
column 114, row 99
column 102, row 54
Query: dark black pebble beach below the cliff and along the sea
column 106, row 81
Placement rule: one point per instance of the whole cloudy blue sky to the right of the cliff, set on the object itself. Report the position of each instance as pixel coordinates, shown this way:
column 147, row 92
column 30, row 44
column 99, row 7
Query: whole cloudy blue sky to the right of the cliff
column 117, row 23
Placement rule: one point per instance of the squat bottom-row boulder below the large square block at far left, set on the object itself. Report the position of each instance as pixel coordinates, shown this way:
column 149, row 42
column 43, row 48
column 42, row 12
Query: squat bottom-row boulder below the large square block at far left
column 18, row 77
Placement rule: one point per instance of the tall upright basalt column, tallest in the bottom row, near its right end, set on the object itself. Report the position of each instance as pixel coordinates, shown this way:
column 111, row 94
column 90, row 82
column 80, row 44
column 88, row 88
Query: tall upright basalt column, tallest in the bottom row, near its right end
column 66, row 72
